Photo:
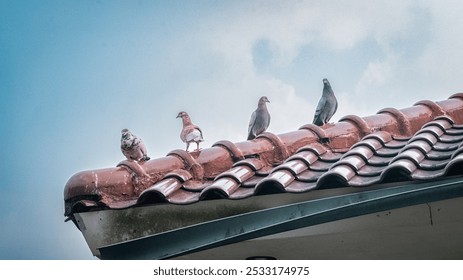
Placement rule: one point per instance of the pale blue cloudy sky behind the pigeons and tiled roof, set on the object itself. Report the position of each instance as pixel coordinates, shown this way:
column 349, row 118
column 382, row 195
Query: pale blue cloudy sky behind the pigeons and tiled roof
column 73, row 74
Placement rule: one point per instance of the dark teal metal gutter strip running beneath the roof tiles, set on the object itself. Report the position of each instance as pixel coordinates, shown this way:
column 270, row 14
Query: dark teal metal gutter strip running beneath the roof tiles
column 280, row 219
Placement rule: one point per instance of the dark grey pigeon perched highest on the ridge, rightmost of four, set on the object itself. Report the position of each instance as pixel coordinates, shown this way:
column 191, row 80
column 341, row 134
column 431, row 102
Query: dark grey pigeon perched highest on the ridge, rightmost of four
column 327, row 105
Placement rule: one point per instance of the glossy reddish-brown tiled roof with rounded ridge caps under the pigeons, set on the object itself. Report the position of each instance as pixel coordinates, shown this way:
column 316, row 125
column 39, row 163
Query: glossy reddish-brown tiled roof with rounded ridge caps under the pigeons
column 420, row 143
